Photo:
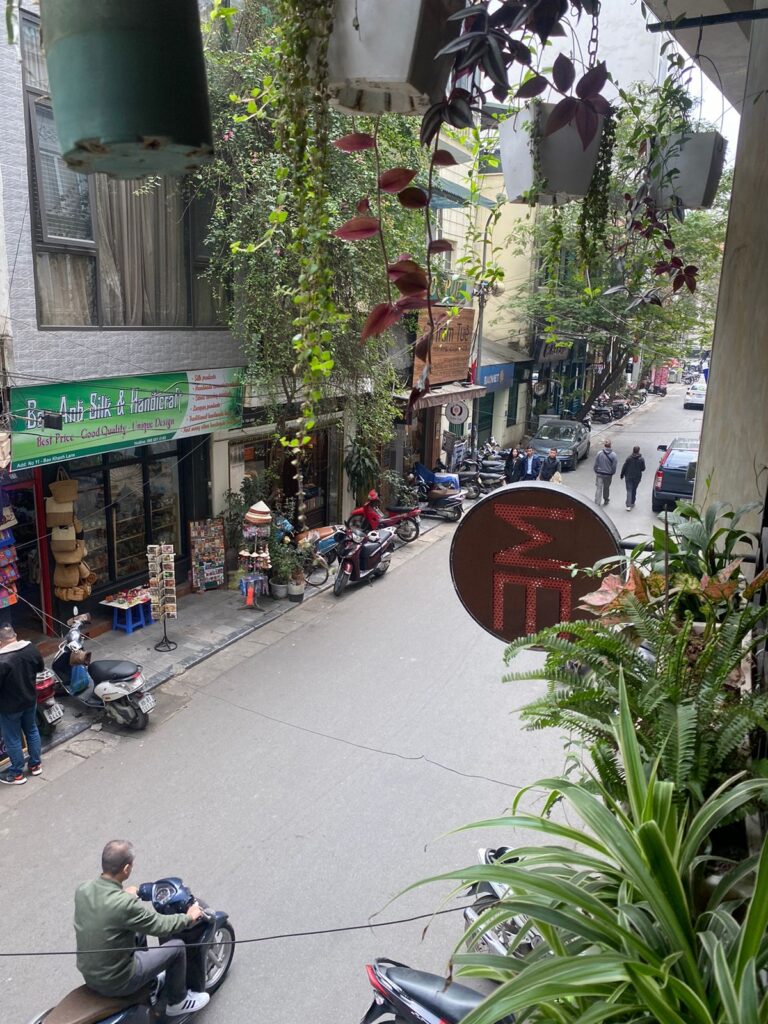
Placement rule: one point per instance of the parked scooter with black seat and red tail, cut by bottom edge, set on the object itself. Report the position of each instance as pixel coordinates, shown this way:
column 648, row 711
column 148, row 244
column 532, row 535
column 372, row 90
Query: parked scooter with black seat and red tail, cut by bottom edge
column 409, row 997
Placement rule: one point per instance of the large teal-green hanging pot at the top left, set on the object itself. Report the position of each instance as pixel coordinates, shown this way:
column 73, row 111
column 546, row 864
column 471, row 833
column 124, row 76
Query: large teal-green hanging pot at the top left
column 129, row 86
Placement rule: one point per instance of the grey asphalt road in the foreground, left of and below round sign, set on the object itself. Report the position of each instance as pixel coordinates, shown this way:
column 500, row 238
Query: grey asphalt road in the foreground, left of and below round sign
column 300, row 786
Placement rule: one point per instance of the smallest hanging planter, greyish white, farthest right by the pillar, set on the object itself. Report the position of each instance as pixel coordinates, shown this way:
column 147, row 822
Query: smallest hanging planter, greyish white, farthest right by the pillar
column 691, row 166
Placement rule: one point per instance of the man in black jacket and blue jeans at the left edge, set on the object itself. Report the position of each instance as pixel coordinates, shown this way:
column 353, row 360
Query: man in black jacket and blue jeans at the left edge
column 20, row 664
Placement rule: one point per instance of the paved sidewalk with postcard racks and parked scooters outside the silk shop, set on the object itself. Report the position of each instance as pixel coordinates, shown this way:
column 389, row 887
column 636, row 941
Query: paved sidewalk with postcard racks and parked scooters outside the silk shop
column 208, row 623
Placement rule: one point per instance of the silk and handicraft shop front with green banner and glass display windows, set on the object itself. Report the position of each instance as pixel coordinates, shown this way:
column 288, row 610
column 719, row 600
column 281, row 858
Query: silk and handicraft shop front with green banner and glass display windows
column 139, row 455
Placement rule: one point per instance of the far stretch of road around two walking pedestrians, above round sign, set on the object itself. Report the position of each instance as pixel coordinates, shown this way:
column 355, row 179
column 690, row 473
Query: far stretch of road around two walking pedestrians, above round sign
column 655, row 423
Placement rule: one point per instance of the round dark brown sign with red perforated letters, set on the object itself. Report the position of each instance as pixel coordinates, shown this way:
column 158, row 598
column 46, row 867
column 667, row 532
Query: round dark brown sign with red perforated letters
column 511, row 552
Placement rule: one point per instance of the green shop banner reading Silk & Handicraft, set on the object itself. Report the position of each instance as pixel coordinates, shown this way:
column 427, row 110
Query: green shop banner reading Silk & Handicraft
column 120, row 412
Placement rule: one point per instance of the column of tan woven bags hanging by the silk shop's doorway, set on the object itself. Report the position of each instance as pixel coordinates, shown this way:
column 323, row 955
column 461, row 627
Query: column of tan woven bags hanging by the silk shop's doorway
column 73, row 580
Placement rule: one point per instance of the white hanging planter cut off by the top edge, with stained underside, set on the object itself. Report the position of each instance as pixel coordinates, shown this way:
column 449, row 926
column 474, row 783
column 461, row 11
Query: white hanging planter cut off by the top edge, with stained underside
column 381, row 55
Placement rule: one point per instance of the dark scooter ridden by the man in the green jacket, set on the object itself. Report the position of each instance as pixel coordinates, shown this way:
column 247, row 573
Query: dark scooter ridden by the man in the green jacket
column 208, row 960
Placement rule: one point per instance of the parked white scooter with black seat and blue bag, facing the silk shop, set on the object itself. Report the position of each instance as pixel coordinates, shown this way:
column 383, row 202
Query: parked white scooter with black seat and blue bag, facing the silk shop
column 117, row 689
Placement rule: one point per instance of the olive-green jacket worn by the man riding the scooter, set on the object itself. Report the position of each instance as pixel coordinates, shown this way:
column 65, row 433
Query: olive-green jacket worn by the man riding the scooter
column 108, row 918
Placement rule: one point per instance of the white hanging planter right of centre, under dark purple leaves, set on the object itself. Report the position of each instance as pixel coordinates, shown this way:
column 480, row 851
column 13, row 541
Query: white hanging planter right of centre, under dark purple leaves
column 567, row 168
